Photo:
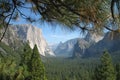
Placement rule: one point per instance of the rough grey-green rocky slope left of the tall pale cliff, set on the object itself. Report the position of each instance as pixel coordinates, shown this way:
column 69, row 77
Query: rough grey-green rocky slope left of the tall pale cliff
column 11, row 38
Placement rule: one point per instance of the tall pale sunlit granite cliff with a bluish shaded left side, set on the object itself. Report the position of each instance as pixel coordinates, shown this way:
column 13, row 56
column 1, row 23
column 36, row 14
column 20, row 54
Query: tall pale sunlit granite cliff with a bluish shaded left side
column 33, row 35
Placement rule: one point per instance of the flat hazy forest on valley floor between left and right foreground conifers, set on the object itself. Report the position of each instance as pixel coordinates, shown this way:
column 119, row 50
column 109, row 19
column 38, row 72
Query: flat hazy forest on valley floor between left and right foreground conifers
column 69, row 69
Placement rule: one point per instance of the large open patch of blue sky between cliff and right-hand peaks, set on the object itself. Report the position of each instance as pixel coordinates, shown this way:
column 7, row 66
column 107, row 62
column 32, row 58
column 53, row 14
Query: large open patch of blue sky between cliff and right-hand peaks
column 55, row 34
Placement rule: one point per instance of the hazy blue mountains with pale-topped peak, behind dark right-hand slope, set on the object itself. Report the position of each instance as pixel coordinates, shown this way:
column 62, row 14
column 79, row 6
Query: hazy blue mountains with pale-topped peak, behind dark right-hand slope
column 77, row 47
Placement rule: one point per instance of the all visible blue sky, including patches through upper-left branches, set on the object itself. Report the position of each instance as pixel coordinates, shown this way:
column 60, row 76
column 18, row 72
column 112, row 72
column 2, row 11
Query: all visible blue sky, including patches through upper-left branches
column 53, row 34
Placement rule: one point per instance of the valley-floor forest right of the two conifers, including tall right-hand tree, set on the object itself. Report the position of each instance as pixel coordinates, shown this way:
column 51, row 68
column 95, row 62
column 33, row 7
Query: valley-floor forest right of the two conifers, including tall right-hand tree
column 102, row 68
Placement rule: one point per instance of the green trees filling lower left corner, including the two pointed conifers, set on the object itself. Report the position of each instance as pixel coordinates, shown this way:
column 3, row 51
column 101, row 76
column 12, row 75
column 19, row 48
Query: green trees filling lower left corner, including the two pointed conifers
column 13, row 68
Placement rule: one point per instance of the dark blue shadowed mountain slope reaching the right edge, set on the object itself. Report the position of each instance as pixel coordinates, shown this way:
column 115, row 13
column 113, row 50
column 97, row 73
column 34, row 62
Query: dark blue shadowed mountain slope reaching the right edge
column 110, row 42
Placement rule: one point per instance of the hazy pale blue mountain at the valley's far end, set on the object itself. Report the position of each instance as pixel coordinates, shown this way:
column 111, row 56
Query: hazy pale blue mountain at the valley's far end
column 65, row 49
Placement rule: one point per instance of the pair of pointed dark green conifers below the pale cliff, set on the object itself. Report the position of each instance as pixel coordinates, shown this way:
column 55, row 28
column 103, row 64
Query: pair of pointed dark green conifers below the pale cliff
column 32, row 67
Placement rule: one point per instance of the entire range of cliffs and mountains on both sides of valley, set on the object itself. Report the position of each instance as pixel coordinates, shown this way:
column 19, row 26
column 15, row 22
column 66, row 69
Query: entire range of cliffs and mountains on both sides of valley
column 90, row 46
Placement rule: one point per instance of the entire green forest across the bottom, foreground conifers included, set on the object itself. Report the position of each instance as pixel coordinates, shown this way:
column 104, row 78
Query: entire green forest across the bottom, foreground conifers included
column 27, row 65
